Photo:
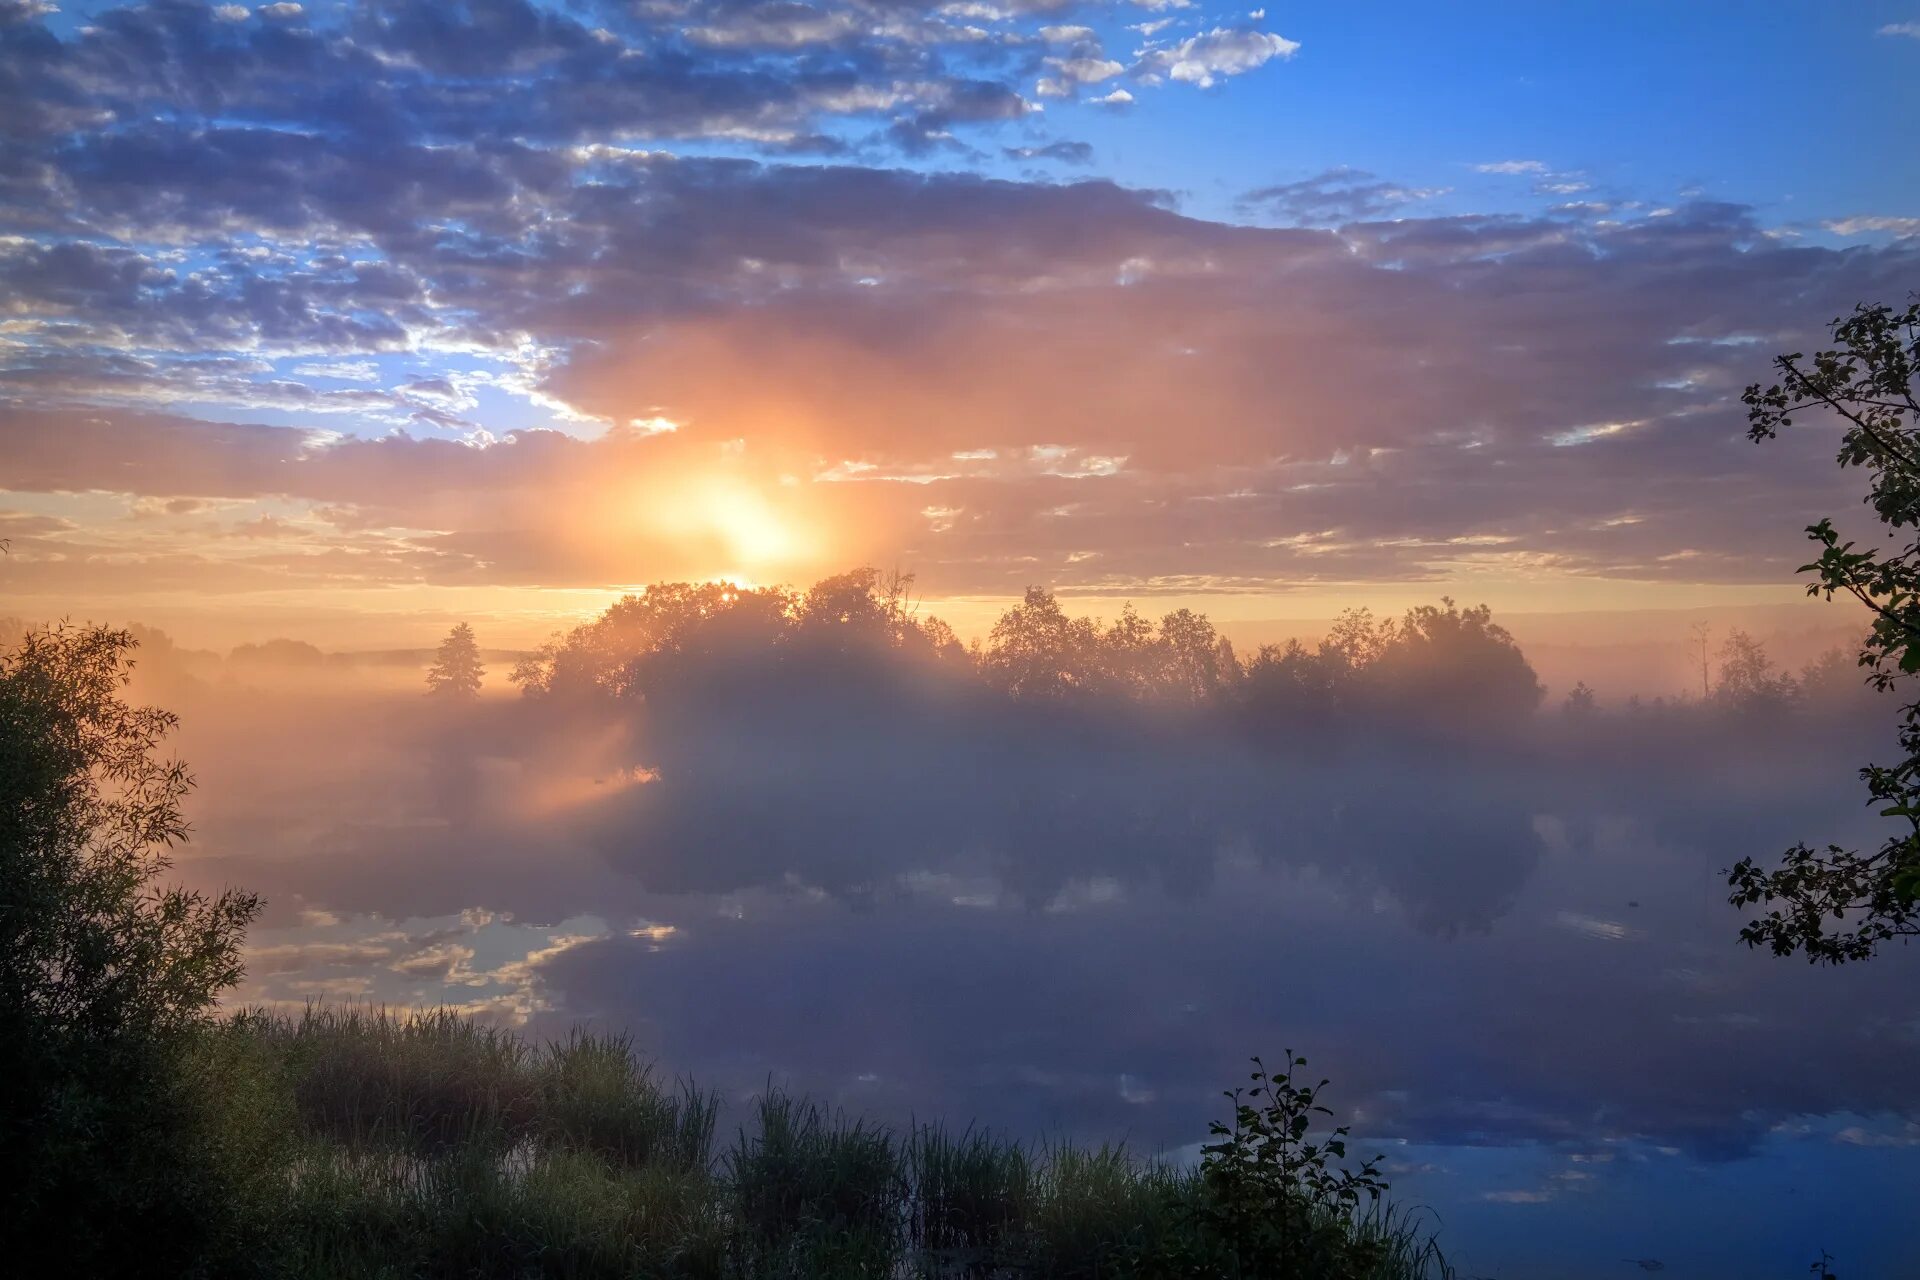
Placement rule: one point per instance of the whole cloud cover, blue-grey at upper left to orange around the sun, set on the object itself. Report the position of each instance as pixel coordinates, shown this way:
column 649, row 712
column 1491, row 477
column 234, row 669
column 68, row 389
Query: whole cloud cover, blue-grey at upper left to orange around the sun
column 404, row 262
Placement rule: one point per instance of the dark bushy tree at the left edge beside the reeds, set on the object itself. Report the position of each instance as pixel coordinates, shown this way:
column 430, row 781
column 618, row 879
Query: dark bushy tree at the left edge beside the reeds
column 103, row 972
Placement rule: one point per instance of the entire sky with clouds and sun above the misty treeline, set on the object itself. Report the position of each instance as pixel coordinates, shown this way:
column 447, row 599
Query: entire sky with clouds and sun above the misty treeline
column 345, row 321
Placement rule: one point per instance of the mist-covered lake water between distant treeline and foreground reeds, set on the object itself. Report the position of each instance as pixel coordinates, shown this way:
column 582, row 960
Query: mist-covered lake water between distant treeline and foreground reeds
column 1504, row 937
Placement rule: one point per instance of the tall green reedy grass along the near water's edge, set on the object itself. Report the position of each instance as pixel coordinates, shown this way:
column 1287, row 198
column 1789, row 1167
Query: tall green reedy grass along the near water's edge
column 360, row 1143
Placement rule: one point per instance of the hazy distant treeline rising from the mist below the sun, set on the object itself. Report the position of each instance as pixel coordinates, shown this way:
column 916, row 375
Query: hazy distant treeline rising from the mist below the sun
column 1437, row 663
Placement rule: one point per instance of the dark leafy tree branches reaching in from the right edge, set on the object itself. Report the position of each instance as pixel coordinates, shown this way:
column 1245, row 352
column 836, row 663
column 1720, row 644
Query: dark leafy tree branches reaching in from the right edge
column 1840, row 905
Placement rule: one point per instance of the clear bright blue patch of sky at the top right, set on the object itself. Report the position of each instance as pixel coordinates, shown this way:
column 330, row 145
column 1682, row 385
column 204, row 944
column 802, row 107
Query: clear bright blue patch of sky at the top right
column 1796, row 108
